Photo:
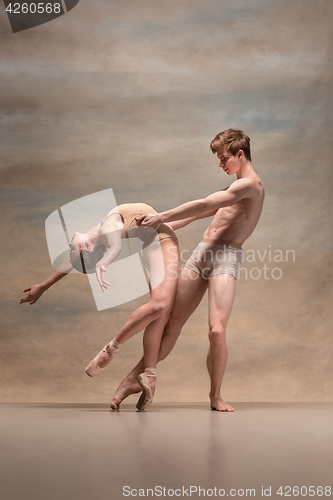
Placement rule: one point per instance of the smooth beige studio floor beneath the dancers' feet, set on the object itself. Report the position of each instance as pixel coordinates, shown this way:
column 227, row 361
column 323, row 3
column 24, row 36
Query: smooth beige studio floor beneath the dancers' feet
column 86, row 451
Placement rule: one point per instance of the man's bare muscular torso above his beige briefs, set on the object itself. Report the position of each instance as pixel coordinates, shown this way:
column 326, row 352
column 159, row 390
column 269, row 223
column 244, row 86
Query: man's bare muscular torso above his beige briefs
column 237, row 222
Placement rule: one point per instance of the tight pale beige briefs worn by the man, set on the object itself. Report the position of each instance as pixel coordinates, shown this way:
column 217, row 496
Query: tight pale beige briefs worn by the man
column 211, row 258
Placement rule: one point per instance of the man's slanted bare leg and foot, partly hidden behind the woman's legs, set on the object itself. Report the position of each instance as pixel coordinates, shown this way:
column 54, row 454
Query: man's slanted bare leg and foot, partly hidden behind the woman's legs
column 190, row 290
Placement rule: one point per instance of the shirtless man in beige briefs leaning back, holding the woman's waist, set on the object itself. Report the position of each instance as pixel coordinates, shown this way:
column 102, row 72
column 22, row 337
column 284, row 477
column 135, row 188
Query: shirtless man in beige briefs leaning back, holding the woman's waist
column 214, row 263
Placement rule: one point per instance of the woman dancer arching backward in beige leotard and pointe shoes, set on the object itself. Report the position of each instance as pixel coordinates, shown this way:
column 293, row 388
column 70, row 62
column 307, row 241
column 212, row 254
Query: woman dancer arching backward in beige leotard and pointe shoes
column 98, row 248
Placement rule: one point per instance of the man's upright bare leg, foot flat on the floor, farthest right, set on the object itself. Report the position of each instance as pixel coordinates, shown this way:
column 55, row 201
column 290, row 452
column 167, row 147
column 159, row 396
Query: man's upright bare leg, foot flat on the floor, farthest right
column 222, row 289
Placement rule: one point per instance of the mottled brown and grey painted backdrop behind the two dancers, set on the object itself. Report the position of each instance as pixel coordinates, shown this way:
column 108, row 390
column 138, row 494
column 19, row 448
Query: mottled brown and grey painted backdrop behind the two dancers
column 128, row 94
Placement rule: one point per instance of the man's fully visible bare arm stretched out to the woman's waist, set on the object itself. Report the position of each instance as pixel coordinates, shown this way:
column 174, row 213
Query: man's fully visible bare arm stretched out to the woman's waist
column 238, row 190
